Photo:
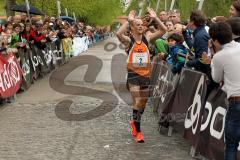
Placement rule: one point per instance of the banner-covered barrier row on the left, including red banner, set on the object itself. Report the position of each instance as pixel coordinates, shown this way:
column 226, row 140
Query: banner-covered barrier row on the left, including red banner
column 32, row 64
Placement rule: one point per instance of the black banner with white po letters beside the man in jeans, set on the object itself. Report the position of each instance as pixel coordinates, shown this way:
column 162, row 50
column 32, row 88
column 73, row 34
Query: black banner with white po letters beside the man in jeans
column 211, row 142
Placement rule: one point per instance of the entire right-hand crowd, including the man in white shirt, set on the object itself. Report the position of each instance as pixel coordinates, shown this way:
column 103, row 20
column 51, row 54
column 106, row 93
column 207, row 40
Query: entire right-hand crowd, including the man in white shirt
column 207, row 45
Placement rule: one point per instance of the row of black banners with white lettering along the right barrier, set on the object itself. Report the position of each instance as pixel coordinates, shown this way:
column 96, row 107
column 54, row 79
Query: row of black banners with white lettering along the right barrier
column 203, row 121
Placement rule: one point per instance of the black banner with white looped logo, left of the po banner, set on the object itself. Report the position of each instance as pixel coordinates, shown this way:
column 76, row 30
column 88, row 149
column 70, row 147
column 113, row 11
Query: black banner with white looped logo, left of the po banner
column 188, row 103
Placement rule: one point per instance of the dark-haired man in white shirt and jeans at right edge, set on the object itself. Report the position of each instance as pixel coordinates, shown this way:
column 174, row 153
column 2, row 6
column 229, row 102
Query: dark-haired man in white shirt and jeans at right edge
column 225, row 69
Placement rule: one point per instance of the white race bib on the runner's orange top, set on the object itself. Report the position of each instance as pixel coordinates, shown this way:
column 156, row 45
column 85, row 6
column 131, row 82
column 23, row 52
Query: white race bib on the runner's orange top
column 140, row 59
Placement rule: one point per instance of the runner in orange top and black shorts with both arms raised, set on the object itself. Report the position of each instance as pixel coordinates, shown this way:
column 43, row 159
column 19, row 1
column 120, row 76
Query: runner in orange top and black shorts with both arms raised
column 139, row 64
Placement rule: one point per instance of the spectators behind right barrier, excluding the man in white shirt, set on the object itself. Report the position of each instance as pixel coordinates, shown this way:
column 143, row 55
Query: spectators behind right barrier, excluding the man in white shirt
column 192, row 36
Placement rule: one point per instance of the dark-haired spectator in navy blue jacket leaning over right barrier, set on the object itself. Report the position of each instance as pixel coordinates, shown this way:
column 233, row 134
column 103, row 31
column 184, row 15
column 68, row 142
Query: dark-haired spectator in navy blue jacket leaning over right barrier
column 199, row 43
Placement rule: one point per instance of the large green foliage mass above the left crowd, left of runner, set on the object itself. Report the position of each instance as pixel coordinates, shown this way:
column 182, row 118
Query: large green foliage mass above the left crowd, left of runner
column 98, row 12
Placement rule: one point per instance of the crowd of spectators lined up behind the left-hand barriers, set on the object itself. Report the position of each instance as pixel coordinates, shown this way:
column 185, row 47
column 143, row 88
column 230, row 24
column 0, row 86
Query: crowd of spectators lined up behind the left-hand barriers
column 20, row 31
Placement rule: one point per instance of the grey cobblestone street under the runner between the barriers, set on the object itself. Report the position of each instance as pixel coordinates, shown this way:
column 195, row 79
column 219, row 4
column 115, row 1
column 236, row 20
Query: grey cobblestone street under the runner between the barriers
column 32, row 130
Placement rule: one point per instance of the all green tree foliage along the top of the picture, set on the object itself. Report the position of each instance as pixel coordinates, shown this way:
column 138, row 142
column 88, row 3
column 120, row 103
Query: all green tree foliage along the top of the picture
column 102, row 12
